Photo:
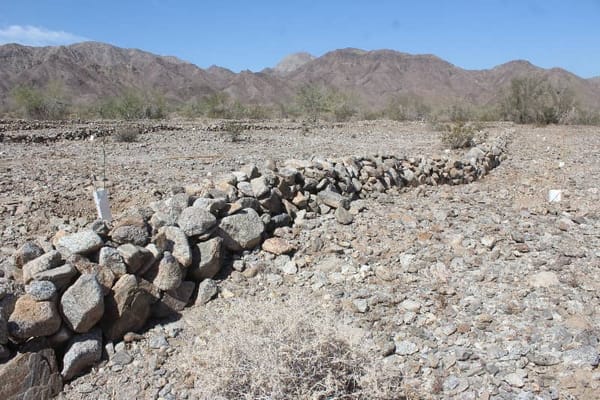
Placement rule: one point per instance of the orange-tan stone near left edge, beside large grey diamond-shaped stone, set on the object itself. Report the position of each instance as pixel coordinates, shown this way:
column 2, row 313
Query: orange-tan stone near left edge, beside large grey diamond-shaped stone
column 32, row 318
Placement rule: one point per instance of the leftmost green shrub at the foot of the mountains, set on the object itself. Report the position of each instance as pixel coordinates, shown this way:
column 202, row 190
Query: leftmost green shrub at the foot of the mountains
column 50, row 102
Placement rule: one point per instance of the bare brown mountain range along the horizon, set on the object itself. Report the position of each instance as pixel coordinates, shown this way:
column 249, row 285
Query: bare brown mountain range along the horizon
column 91, row 71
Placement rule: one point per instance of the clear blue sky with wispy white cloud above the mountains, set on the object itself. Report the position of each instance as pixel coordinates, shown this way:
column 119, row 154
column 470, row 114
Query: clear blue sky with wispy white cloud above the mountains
column 257, row 34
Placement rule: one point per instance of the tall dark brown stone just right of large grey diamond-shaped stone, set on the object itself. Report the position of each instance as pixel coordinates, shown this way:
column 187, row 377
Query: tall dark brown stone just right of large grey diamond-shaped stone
column 127, row 307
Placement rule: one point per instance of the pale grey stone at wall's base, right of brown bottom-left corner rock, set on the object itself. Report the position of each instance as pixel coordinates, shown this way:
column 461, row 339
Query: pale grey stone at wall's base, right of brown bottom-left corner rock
column 82, row 353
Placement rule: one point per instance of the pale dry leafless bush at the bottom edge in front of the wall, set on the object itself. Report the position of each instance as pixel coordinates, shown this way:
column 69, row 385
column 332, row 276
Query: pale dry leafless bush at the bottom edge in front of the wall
column 287, row 350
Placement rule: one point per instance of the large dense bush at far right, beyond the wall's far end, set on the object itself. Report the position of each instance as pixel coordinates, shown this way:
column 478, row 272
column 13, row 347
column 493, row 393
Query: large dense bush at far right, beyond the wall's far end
column 534, row 100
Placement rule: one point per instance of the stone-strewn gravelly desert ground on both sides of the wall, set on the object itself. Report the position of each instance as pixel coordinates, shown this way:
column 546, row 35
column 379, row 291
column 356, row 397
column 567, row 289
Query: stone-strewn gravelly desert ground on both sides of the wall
column 478, row 291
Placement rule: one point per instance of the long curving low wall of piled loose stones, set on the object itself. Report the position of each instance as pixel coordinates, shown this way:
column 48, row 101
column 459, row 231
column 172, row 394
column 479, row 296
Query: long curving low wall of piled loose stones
column 105, row 282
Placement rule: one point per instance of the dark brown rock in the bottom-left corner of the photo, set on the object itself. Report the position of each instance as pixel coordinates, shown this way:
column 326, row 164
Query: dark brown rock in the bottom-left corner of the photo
column 31, row 375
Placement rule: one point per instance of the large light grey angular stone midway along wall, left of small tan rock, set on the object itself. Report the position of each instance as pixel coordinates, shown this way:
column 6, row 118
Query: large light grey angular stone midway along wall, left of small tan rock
column 242, row 231
